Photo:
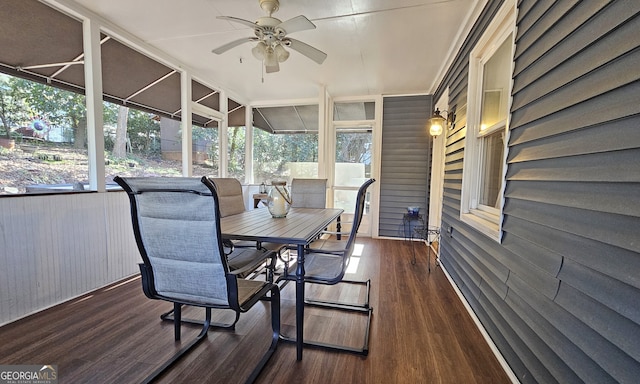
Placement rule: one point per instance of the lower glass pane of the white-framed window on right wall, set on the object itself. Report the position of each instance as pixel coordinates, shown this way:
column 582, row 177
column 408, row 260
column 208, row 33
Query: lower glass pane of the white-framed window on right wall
column 491, row 178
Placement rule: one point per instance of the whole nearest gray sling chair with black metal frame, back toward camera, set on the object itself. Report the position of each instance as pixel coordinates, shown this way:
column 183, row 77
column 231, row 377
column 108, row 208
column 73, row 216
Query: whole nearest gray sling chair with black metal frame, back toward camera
column 176, row 223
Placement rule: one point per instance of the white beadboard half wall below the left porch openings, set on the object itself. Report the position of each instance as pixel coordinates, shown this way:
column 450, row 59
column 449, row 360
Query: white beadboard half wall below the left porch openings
column 57, row 247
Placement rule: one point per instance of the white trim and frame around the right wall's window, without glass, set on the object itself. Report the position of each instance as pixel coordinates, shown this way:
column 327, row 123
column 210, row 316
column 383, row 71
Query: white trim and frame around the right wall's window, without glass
column 486, row 220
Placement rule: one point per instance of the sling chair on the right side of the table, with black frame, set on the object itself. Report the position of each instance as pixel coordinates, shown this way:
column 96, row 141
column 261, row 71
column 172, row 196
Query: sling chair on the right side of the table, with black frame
column 329, row 268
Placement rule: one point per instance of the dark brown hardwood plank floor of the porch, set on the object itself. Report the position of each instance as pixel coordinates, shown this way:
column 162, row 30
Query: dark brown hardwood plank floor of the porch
column 420, row 333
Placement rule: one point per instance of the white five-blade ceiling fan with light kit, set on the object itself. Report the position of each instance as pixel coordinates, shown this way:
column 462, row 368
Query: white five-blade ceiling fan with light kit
column 272, row 37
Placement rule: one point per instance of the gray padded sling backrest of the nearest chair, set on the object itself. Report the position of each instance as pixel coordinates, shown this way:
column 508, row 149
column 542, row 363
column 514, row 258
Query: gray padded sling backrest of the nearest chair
column 176, row 223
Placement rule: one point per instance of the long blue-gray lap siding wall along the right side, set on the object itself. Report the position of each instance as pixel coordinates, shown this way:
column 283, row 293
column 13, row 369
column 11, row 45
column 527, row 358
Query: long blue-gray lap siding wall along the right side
column 561, row 295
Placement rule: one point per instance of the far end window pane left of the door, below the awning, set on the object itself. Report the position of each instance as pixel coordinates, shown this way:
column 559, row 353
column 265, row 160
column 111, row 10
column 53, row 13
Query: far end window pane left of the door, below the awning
column 284, row 156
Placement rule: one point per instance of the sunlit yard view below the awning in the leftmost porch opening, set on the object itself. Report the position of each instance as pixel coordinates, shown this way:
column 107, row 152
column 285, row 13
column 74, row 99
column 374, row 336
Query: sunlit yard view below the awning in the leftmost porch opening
column 42, row 138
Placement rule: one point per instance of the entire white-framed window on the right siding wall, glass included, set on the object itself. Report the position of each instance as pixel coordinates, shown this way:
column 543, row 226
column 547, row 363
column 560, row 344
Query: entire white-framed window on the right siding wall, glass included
column 490, row 73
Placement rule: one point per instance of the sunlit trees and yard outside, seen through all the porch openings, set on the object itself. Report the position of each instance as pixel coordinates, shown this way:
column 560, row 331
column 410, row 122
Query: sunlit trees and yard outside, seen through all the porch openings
column 21, row 101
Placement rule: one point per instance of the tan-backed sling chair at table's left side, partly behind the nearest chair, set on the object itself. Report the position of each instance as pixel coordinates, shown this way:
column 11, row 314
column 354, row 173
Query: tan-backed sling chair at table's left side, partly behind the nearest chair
column 231, row 203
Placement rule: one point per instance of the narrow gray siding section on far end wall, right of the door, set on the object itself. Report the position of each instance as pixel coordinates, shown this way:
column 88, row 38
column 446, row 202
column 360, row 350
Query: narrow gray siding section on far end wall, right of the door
column 406, row 163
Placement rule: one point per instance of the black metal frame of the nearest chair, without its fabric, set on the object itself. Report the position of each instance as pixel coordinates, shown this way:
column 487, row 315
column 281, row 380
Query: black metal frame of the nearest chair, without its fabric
column 148, row 286
